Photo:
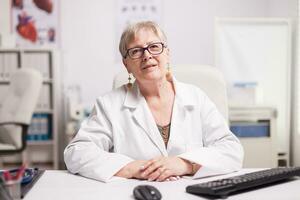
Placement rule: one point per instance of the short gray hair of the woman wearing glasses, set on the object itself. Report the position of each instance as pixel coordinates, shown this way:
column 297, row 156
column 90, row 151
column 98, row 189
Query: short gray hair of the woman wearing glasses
column 131, row 30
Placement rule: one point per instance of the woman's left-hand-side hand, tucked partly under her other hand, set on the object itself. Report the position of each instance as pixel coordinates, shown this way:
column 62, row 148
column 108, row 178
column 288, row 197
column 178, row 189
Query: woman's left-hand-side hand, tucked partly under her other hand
column 132, row 170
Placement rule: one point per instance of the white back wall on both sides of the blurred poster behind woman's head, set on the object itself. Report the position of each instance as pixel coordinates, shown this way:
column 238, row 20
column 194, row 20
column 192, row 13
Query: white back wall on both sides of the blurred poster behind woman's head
column 89, row 35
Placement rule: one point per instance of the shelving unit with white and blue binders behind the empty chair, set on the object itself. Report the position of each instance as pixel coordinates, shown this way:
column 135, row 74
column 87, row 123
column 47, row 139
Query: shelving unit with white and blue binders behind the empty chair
column 42, row 135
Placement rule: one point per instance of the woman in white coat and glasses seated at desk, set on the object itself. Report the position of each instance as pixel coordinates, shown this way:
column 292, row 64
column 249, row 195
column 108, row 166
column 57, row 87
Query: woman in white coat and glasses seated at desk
column 157, row 128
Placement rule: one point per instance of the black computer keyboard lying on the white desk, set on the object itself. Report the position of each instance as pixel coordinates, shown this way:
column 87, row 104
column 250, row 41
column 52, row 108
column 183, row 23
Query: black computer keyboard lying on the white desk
column 224, row 187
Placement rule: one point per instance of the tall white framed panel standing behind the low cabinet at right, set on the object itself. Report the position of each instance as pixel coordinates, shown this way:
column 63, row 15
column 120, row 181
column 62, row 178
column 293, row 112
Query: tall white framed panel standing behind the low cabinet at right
column 259, row 50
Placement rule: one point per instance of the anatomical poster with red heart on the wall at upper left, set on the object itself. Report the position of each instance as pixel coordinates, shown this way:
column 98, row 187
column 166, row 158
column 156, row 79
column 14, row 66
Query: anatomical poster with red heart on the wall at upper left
column 35, row 22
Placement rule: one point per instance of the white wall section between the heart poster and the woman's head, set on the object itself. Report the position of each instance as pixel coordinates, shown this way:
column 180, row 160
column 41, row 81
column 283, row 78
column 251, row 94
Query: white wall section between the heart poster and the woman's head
column 87, row 35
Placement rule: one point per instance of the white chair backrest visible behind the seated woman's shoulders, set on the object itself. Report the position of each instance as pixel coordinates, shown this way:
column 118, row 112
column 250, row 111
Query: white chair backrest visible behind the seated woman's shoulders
column 208, row 78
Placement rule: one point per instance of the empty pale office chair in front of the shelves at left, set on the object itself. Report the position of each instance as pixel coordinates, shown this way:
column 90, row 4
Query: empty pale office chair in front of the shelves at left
column 17, row 108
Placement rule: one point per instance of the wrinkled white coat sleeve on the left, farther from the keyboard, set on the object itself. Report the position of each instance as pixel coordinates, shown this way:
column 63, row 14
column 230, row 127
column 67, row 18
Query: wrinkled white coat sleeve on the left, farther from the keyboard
column 90, row 152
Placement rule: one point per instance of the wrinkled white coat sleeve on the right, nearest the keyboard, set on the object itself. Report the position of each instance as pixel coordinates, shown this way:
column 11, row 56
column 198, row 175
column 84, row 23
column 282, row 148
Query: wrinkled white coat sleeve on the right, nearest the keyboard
column 221, row 152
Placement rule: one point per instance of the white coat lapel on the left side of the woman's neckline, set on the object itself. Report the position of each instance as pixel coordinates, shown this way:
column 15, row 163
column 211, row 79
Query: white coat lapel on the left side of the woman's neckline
column 143, row 116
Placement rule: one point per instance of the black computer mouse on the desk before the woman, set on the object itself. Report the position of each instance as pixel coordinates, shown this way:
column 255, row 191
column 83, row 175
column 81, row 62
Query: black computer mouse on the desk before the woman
column 146, row 192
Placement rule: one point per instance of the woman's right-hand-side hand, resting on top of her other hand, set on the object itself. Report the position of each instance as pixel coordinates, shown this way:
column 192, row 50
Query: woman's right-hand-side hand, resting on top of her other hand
column 166, row 168
